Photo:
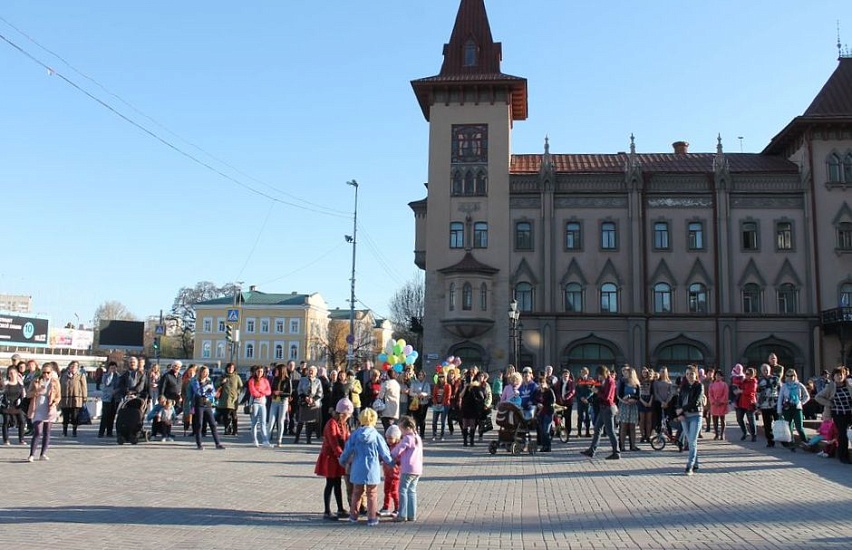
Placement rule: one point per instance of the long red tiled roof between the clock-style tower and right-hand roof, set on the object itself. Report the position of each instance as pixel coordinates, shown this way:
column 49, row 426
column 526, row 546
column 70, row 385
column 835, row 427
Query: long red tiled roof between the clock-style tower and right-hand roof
column 651, row 162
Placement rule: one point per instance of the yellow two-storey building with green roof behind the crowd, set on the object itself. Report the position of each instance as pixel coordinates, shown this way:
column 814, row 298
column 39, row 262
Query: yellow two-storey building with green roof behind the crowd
column 272, row 328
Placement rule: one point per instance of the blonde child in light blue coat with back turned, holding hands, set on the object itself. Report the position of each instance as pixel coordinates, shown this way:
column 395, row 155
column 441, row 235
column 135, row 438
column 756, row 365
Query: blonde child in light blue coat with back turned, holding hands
column 366, row 448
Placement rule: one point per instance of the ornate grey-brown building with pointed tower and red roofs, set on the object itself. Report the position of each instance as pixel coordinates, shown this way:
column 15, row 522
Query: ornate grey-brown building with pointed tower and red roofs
column 645, row 258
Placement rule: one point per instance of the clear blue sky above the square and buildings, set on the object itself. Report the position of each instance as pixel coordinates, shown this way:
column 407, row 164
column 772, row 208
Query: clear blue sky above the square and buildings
column 299, row 97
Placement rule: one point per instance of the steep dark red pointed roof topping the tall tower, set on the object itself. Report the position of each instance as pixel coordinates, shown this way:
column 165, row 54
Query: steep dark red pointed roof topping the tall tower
column 472, row 60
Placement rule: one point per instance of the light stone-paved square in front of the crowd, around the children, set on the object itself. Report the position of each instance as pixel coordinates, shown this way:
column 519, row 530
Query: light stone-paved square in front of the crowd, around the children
column 95, row 494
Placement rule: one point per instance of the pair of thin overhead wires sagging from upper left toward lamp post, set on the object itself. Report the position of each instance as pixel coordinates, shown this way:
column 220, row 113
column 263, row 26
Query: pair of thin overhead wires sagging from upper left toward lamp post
column 319, row 209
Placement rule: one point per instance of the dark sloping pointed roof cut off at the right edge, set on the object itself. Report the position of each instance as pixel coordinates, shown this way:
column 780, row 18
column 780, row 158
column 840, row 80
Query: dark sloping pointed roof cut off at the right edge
column 833, row 104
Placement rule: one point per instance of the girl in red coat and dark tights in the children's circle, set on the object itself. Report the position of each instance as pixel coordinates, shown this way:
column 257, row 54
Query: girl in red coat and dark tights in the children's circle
column 334, row 438
